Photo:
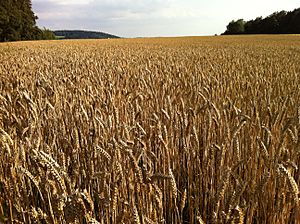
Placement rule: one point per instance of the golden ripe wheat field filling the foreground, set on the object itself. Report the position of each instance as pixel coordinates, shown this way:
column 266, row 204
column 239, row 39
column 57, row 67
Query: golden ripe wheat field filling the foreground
column 162, row 130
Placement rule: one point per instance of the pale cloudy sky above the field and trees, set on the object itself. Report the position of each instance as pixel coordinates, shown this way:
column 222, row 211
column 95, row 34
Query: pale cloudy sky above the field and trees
column 152, row 18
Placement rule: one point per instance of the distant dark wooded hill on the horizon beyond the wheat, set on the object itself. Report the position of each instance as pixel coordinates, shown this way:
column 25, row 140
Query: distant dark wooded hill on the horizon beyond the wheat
column 81, row 34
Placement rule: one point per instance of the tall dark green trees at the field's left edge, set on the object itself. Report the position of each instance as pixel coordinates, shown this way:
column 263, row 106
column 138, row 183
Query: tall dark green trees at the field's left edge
column 18, row 22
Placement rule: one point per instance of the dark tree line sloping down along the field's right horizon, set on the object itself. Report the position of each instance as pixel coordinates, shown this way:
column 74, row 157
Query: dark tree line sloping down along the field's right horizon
column 282, row 22
